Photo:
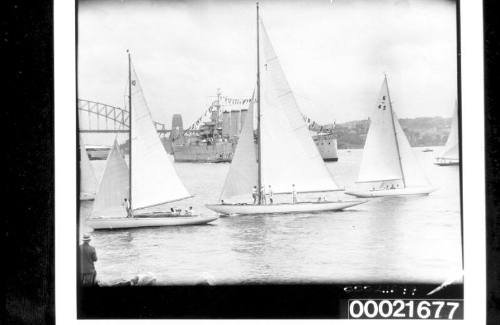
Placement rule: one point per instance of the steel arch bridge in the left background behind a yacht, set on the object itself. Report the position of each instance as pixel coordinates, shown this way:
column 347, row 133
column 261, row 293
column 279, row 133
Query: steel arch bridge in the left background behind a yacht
column 95, row 117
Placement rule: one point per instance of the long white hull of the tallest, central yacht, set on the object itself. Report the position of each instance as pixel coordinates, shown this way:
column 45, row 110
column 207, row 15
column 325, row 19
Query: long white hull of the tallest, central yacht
column 228, row 209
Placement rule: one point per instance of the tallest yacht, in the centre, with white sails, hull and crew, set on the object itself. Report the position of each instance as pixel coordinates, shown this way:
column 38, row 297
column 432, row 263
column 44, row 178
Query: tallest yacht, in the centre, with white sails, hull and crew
column 285, row 156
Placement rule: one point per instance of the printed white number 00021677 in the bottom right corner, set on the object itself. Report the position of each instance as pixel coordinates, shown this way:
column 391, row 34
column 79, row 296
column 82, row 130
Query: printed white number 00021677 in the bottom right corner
column 405, row 309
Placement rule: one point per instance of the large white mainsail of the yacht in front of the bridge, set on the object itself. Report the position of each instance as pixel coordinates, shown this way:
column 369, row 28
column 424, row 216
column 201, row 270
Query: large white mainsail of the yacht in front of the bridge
column 154, row 179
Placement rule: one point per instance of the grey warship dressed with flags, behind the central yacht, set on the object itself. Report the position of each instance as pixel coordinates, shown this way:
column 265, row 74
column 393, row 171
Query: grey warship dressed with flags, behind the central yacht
column 213, row 136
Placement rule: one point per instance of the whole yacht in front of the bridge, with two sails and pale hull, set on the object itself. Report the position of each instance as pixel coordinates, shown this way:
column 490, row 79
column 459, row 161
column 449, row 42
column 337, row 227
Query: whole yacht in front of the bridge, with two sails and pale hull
column 148, row 181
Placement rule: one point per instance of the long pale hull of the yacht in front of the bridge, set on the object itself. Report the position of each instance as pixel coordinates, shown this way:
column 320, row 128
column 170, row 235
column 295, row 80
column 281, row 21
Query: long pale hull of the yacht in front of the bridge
column 140, row 222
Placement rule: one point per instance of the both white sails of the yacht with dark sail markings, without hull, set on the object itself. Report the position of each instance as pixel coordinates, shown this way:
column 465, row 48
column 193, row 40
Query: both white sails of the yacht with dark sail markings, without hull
column 387, row 154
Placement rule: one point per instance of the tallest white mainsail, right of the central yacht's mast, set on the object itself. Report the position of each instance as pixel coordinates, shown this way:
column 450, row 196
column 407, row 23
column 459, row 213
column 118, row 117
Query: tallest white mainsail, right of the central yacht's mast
column 289, row 155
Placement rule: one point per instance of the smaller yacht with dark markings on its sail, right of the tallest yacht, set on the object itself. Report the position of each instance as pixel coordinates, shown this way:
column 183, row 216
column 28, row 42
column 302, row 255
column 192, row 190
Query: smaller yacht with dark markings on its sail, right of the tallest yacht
column 389, row 167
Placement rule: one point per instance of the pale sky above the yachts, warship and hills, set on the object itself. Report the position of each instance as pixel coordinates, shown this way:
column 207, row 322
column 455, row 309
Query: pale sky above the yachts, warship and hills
column 334, row 53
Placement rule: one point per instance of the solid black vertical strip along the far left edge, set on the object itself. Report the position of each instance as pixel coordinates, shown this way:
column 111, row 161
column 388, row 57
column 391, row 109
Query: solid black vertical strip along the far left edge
column 28, row 182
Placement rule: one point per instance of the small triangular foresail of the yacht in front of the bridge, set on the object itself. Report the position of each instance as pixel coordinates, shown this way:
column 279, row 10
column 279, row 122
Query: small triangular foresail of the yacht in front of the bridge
column 114, row 187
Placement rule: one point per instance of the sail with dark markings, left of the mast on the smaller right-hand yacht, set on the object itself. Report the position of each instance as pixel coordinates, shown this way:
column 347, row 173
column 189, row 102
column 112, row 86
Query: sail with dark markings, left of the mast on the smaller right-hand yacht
column 380, row 154
